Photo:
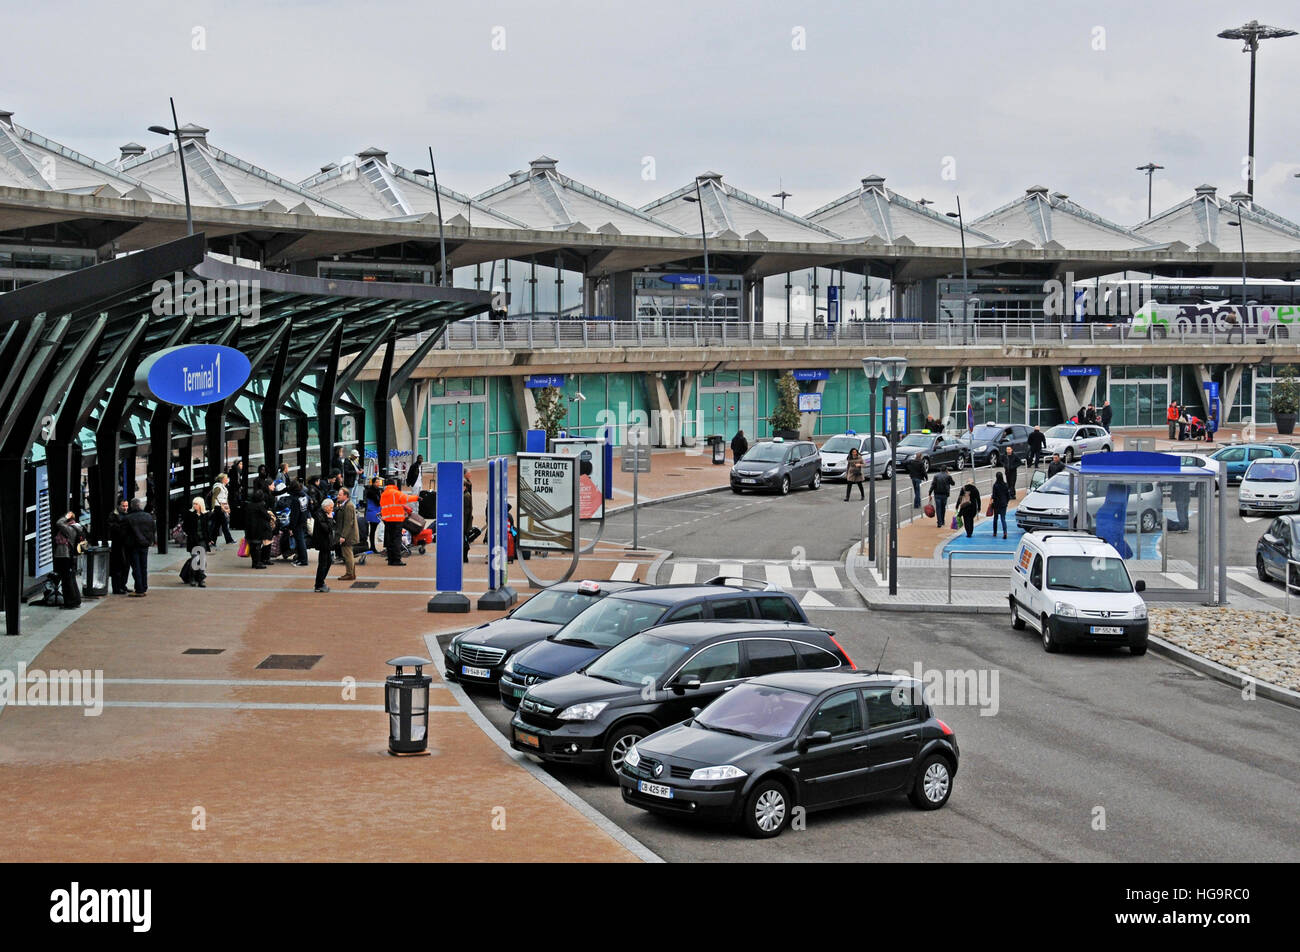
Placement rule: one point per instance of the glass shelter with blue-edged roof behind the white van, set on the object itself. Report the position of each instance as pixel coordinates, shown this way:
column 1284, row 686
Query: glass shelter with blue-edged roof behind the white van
column 1168, row 521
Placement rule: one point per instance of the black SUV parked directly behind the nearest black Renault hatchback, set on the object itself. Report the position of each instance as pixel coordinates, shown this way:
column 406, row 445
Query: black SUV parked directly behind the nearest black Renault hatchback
column 656, row 680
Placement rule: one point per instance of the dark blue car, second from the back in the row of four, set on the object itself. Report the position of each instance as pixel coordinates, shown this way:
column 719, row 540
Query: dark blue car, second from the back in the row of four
column 623, row 615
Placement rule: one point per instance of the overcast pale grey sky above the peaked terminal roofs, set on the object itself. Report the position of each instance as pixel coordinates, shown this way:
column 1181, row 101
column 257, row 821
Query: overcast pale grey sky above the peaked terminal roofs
column 811, row 94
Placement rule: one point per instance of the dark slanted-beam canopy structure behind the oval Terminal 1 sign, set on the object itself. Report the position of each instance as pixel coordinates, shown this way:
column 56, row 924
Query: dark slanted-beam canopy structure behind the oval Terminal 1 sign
column 77, row 340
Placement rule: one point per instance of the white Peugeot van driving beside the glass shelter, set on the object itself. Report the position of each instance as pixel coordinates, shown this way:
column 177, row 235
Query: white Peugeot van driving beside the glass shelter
column 1074, row 588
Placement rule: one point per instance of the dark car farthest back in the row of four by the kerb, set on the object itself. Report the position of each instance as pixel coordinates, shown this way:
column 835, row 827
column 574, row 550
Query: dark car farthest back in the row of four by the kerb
column 479, row 656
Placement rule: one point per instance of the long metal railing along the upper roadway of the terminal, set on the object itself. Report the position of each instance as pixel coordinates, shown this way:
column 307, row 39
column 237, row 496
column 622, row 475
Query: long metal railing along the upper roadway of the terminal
column 553, row 335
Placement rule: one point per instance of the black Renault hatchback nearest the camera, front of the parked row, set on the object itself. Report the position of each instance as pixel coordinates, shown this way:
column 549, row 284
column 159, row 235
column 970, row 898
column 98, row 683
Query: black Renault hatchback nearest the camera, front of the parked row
column 812, row 739
